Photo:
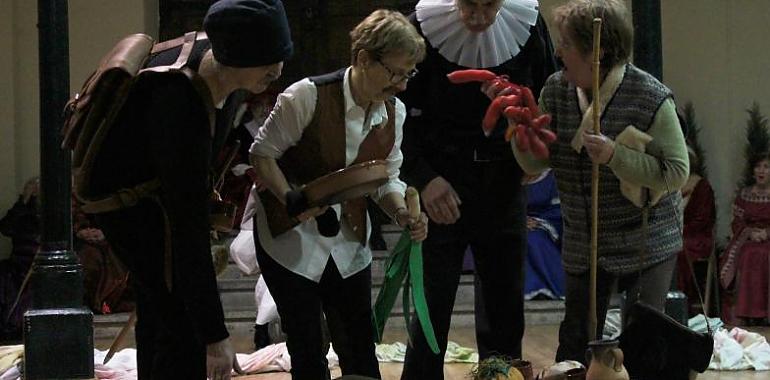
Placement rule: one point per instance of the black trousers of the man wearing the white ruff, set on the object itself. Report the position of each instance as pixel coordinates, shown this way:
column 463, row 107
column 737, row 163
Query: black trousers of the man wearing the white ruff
column 492, row 224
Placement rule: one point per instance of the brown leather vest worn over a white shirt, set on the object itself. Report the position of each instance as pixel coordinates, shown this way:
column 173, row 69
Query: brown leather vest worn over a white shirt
column 321, row 151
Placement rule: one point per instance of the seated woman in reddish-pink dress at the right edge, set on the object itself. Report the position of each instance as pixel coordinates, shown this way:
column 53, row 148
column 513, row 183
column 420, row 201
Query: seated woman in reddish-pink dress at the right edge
column 745, row 265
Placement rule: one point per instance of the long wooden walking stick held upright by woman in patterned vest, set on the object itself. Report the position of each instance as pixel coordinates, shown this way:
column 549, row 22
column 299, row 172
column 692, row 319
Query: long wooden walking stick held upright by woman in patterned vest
column 592, row 318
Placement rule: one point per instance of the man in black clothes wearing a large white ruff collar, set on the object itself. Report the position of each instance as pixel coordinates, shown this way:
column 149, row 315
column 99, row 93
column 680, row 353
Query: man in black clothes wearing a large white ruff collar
column 470, row 185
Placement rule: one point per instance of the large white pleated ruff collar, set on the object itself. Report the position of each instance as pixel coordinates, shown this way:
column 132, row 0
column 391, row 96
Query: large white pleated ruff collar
column 441, row 25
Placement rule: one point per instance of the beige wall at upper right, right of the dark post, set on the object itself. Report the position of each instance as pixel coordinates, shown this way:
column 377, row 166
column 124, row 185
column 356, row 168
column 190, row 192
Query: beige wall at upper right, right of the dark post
column 722, row 67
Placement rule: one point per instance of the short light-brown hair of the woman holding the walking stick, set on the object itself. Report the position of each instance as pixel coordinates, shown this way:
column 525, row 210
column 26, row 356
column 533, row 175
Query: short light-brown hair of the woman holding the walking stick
column 617, row 40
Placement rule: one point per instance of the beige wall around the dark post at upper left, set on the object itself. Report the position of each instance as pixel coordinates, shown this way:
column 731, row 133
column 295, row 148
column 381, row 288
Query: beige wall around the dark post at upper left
column 94, row 27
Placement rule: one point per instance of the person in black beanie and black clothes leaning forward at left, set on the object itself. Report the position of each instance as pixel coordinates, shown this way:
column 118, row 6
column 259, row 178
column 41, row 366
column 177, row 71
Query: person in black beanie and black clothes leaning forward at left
column 164, row 137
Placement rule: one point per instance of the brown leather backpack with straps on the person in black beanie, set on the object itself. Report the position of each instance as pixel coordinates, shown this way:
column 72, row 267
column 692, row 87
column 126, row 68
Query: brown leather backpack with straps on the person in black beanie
column 91, row 113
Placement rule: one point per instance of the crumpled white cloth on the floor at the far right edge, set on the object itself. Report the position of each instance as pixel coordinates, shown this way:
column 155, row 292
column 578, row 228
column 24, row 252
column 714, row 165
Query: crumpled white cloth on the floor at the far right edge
column 739, row 349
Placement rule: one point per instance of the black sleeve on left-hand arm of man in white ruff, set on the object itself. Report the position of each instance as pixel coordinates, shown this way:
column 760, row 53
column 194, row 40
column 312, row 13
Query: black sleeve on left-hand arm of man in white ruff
column 415, row 169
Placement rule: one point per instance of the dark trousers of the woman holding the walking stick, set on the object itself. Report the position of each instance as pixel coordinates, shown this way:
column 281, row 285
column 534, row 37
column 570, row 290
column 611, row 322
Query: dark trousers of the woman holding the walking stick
column 651, row 288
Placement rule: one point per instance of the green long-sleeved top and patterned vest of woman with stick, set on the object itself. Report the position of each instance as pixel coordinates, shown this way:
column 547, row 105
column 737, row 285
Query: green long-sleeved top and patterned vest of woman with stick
column 629, row 97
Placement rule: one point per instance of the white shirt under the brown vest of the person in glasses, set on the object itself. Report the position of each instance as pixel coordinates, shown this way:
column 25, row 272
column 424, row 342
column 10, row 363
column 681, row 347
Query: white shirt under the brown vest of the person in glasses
column 302, row 249
